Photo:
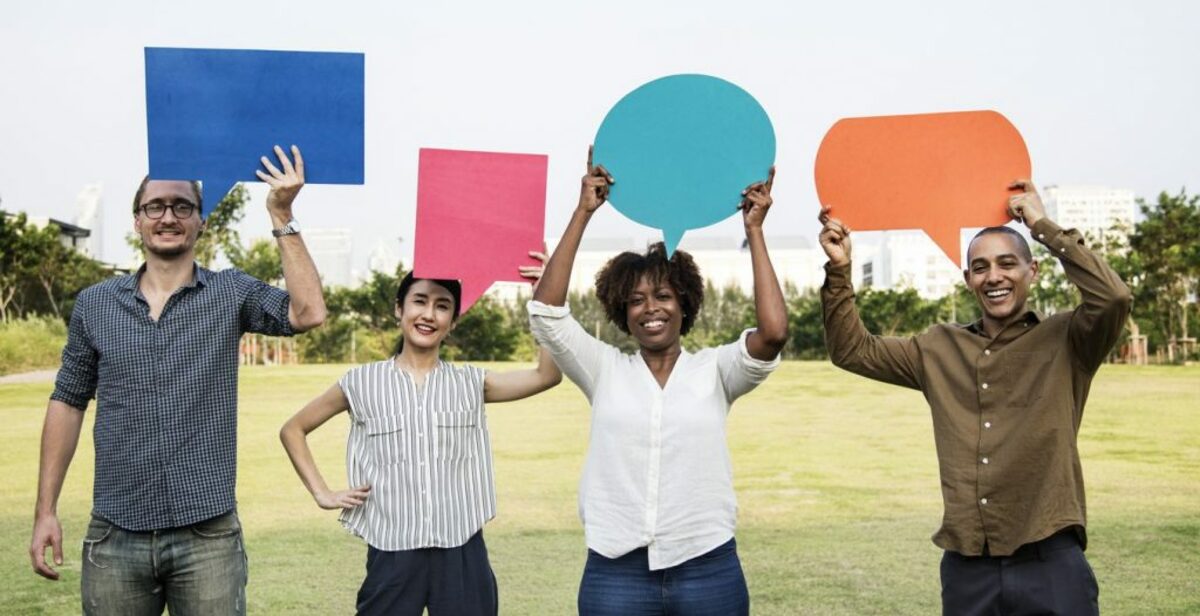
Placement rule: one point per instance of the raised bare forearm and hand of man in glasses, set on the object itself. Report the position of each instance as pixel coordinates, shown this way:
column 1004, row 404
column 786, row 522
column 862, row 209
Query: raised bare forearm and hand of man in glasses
column 307, row 309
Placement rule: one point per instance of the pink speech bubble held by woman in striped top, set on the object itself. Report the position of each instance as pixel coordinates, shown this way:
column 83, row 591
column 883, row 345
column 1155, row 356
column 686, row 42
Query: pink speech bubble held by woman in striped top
column 478, row 217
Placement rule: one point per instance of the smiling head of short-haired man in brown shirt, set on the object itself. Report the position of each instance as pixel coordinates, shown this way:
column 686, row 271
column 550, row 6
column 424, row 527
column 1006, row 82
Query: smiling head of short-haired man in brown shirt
column 1000, row 274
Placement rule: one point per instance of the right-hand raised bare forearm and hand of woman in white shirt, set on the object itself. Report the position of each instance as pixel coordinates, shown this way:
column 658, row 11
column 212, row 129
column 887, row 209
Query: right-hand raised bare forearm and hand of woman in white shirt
column 771, row 334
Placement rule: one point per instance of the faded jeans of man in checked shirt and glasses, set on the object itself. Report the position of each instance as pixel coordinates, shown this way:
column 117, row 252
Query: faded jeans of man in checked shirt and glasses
column 197, row 570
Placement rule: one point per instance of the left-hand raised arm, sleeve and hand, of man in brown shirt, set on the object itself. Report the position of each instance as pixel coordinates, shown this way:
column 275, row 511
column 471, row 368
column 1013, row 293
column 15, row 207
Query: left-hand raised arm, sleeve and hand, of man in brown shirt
column 851, row 346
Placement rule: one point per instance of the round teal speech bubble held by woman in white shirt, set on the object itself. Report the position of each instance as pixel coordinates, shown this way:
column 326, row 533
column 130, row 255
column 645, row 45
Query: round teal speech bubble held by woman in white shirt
column 682, row 149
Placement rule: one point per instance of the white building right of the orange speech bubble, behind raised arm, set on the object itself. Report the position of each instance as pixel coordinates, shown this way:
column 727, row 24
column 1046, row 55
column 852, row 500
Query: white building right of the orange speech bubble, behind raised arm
column 1090, row 210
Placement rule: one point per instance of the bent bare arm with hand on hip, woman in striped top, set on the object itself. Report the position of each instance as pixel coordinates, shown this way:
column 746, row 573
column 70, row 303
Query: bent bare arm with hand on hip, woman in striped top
column 295, row 436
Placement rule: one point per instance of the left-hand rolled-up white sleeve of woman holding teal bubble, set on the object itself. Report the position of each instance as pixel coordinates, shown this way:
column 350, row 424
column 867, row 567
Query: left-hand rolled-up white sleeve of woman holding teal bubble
column 580, row 356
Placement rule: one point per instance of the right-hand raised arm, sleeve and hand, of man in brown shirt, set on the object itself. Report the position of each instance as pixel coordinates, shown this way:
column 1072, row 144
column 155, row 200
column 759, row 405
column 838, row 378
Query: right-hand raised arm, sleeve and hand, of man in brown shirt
column 1099, row 321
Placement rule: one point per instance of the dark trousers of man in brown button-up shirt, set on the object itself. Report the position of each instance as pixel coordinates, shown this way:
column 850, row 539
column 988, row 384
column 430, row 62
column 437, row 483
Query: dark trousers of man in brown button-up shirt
column 1051, row 577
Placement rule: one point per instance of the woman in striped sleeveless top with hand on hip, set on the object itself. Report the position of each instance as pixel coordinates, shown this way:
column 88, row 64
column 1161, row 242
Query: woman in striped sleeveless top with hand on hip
column 419, row 460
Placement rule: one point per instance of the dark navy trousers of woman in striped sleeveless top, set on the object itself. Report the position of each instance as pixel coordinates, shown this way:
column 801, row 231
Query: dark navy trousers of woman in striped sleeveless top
column 451, row 582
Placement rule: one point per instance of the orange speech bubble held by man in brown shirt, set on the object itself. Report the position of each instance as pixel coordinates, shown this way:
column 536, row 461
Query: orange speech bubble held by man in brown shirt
column 938, row 172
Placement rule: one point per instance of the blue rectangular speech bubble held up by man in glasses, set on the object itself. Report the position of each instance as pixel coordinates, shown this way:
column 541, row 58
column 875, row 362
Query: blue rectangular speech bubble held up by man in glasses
column 213, row 113
